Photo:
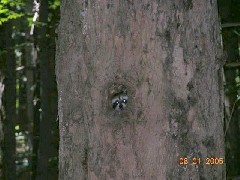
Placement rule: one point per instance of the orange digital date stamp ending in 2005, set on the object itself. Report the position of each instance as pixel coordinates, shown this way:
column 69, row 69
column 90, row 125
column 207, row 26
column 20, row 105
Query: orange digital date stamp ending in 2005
column 198, row 161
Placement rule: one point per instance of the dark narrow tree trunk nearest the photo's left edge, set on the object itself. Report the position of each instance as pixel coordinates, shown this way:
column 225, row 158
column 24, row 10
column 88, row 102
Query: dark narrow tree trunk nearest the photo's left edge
column 9, row 144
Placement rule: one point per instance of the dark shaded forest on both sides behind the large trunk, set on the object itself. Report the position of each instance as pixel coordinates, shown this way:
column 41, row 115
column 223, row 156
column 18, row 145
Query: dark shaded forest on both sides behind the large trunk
column 28, row 91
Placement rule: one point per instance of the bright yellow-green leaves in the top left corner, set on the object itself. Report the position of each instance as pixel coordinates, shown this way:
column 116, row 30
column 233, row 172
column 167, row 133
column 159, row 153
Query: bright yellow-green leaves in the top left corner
column 10, row 9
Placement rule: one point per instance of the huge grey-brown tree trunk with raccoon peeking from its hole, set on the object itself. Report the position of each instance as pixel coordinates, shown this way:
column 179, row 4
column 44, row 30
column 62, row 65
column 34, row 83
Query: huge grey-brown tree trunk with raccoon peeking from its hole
column 166, row 57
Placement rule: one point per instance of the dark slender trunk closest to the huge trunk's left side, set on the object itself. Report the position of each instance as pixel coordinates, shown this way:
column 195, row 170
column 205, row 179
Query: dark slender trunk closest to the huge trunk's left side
column 44, row 126
